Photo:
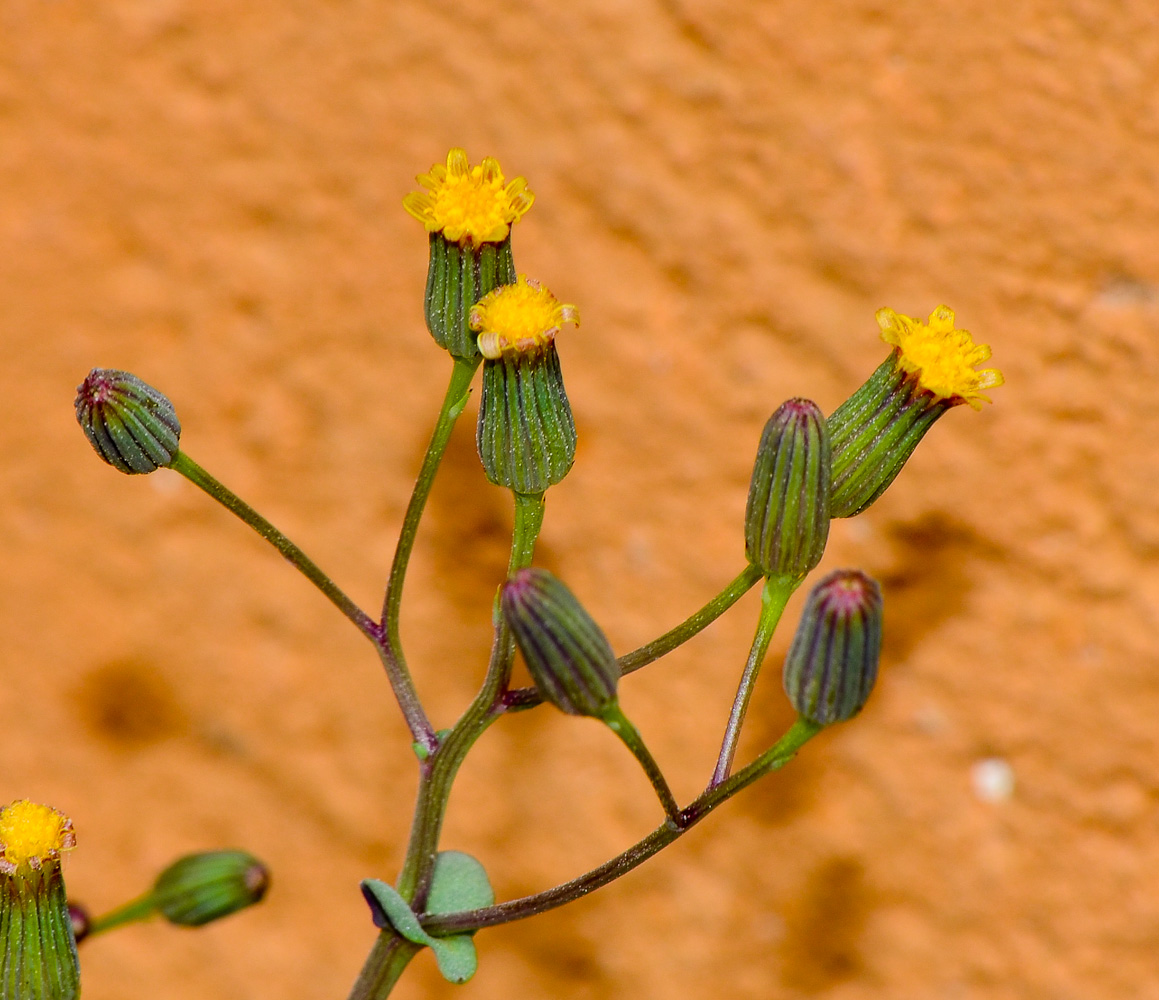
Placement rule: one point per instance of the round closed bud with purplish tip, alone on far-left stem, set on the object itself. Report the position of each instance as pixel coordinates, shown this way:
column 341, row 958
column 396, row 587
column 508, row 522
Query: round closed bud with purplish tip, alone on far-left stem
column 130, row 425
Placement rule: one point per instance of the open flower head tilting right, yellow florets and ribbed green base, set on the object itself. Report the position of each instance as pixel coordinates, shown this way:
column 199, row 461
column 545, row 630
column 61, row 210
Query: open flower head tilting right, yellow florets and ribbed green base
column 876, row 432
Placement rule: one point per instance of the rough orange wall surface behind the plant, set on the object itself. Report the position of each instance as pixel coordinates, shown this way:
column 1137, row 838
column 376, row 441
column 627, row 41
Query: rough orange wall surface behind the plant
column 208, row 194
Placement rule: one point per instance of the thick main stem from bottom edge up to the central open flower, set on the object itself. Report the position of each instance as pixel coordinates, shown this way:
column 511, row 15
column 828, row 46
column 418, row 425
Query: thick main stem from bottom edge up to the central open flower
column 440, row 771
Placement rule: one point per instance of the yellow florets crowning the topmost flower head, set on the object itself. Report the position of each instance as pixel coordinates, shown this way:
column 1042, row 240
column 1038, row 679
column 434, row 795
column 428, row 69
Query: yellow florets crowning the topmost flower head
column 469, row 205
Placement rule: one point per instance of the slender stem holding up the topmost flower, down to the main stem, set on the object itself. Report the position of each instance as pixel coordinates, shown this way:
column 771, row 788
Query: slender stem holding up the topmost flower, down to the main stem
column 455, row 400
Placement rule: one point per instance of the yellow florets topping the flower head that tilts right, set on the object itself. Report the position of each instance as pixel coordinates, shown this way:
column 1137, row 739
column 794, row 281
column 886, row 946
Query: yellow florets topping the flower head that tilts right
column 941, row 357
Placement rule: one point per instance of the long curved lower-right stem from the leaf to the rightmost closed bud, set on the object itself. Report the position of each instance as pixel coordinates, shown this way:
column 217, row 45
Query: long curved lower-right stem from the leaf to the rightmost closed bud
column 774, row 760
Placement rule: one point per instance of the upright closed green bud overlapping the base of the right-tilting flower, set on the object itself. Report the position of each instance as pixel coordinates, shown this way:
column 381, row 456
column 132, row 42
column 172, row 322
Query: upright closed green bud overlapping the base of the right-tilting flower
column 786, row 523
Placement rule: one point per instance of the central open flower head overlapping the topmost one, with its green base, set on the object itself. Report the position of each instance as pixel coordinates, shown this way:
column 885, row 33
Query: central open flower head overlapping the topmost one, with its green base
column 527, row 435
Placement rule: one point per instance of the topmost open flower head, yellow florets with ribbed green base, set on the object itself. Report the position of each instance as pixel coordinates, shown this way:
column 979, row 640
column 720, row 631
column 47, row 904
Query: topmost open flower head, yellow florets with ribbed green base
column 469, row 213
